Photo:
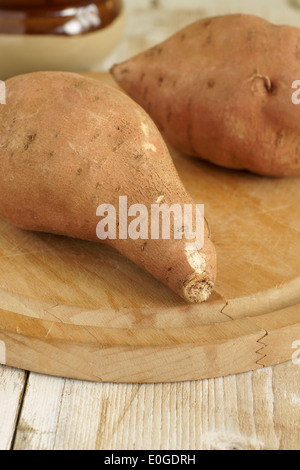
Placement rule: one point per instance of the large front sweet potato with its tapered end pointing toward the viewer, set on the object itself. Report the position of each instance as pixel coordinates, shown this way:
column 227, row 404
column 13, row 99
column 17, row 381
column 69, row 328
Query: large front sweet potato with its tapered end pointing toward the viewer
column 69, row 144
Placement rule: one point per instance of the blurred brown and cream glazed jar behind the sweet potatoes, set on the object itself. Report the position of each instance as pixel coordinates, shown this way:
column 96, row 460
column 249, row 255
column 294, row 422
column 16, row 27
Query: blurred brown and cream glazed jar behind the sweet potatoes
column 70, row 35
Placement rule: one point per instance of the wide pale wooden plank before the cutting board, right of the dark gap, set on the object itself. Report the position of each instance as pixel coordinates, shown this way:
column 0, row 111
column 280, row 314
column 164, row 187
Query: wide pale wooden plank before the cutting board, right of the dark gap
column 253, row 411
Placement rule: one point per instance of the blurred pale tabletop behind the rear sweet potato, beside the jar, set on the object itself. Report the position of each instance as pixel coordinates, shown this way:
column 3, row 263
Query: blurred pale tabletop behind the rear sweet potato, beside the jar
column 151, row 21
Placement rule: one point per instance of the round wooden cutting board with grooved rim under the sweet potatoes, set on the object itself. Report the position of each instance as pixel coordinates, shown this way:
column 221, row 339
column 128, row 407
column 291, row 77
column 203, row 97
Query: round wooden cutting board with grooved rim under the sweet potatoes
column 77, row 309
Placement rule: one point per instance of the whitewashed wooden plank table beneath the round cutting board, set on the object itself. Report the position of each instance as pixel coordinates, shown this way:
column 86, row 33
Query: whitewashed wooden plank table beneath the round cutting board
column 256, row 410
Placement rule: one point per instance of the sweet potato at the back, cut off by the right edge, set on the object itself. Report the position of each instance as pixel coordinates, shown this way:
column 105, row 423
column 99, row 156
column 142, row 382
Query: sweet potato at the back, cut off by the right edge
column 220, row 89
